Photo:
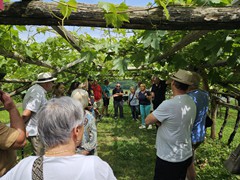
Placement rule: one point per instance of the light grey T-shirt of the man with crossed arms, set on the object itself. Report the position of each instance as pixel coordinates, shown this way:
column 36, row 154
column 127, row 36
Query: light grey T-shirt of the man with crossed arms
column 173, row 140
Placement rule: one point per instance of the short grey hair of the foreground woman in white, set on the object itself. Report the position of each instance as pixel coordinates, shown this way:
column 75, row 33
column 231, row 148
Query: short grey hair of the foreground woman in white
column 57, row 119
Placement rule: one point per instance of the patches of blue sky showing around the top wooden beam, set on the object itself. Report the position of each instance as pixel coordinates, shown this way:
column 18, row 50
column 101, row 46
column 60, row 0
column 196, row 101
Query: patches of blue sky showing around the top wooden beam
column 97, row 32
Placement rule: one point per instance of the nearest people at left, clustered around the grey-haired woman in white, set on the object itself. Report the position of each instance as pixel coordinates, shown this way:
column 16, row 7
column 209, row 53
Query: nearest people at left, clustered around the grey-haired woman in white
column 61, row 132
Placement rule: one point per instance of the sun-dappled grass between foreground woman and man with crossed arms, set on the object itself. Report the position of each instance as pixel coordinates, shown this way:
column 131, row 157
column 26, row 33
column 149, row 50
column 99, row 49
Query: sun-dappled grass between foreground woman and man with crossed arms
column 129, row 150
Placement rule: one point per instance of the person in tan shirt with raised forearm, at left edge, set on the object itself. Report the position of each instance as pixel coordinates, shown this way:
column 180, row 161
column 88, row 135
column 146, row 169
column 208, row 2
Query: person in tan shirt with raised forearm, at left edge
column 12, row 137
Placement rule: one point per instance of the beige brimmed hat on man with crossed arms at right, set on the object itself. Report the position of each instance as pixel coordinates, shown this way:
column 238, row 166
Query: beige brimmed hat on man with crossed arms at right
column 182, row 76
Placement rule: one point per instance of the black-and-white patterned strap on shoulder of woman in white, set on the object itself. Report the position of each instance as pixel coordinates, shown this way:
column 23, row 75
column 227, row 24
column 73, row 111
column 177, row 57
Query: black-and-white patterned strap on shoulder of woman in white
column 37, row 170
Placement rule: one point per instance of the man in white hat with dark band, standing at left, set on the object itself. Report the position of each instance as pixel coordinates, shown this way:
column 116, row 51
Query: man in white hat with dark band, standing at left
column 34, row 99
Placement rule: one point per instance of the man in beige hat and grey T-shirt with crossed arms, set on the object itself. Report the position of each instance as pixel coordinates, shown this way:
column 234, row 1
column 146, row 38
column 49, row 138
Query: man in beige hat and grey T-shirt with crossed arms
column 175, row 118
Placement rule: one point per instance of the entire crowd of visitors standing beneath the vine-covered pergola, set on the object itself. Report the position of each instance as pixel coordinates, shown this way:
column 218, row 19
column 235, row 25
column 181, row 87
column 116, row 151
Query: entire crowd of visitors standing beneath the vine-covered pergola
column 62, row 130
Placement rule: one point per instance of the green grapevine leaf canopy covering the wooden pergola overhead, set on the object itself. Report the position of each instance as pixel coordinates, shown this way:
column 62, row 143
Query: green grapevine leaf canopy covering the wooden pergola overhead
column 215, row 55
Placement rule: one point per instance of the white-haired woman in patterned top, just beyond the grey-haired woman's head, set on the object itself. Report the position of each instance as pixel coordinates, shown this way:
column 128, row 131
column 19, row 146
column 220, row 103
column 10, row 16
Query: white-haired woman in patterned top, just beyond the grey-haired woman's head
column 89, row 142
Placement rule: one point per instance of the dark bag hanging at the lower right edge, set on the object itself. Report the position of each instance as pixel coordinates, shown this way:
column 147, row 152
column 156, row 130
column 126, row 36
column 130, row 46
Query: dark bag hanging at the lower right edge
column 232, row 164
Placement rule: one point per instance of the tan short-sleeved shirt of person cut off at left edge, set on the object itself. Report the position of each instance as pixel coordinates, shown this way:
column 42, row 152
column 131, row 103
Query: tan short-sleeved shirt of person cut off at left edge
column 7, row 157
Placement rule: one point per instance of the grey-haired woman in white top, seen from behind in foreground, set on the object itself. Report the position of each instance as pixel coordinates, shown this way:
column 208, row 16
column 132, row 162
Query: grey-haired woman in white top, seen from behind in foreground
column 61, row 129
